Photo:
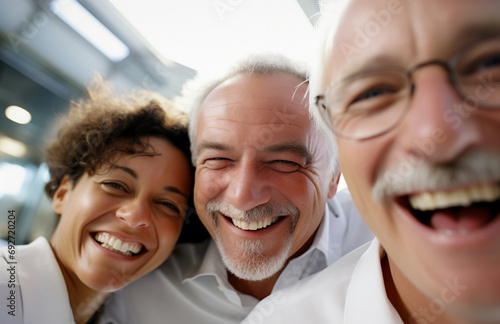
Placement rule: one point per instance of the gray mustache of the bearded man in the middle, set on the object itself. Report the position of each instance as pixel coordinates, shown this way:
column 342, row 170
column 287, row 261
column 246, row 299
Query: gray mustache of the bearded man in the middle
column 266, row 210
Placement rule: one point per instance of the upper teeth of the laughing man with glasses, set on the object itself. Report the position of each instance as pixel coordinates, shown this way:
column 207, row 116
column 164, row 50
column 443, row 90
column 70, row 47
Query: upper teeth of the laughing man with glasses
column 461, row 197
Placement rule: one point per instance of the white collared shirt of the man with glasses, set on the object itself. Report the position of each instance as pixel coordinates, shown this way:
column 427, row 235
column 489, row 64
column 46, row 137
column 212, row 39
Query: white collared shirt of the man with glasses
column 351, row 291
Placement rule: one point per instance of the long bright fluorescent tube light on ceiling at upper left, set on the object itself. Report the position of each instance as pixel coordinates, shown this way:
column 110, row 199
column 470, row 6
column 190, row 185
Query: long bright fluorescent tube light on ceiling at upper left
column 90, row 28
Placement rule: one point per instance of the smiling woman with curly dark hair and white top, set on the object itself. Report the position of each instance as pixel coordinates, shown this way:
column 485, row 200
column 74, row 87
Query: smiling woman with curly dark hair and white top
column 121, row 182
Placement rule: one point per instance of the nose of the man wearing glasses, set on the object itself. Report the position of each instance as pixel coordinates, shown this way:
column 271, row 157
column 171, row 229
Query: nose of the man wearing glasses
column 439, row 125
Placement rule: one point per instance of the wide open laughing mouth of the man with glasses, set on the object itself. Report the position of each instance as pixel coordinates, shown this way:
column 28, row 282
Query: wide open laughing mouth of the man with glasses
column 458, row 211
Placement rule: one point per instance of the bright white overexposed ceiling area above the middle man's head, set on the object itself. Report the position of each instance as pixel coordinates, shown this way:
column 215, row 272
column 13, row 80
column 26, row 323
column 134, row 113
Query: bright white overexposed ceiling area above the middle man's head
column 206, row 34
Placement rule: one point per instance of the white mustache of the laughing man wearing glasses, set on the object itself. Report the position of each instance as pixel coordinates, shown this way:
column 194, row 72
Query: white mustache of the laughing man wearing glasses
column 407, row 178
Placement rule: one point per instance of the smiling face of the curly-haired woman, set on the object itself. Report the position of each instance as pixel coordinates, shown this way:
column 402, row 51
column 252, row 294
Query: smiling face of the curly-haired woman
column 123, row 221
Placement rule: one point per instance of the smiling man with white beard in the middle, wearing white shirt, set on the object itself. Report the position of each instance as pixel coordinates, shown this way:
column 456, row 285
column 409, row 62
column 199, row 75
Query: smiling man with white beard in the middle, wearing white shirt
column 265, row 182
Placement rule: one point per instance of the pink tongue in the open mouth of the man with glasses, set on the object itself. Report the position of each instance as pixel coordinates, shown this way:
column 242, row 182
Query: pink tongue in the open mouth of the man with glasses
column 462, row 219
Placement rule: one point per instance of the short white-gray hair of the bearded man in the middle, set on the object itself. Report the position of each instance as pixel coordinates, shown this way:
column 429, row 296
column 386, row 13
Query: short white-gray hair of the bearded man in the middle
column 197, row 89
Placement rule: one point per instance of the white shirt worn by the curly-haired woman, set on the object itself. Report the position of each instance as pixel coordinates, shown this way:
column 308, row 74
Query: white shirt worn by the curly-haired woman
column 39, row 291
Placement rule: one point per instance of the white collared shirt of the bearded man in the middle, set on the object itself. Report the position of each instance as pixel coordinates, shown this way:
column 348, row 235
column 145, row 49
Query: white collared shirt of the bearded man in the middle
column 192, row 285
